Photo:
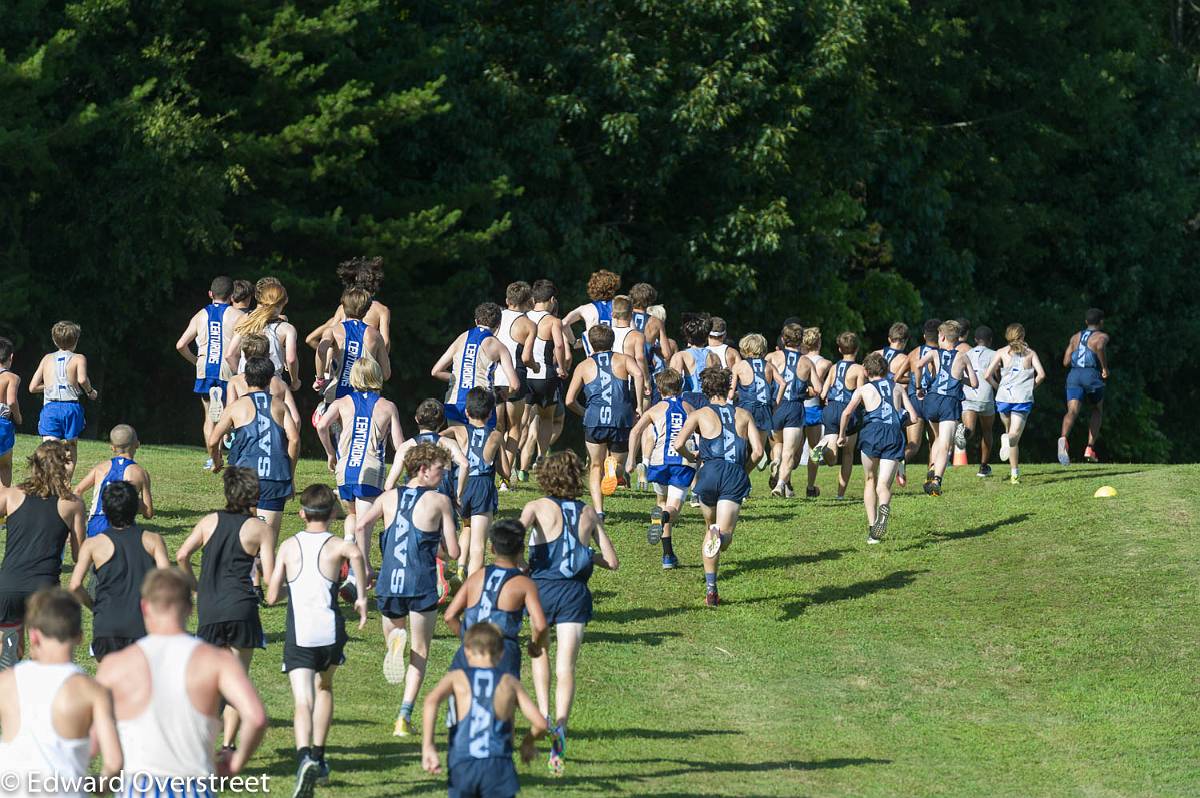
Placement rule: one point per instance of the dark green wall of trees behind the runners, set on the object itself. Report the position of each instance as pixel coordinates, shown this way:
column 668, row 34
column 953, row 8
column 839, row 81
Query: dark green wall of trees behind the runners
column 853, row 164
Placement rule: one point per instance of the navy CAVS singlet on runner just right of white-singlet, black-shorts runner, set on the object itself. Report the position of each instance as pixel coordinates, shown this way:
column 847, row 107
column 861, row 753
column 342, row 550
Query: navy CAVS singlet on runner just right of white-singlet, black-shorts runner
column 410, row 554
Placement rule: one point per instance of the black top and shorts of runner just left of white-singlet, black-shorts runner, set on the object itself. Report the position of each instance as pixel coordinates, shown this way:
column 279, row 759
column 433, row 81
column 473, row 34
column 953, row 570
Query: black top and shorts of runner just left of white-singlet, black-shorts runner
column 227, row 608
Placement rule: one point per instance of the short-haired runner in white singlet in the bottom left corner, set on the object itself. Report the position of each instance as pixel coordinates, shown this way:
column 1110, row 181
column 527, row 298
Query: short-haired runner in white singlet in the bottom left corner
column 50, row 709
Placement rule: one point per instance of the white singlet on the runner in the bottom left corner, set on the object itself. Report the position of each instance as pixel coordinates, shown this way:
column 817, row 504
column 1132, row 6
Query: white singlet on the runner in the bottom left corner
column 38, row 749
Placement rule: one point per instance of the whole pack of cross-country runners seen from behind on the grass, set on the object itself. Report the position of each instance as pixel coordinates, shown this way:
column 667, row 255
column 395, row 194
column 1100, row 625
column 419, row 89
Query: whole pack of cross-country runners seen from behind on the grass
column 692, row 418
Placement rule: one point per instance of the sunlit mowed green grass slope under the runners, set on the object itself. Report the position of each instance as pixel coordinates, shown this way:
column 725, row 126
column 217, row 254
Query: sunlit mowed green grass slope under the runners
column 1004, row 641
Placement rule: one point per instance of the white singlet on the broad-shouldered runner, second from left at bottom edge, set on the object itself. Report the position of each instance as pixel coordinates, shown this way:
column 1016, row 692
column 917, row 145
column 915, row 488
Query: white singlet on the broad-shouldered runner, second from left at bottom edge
column 171, row 737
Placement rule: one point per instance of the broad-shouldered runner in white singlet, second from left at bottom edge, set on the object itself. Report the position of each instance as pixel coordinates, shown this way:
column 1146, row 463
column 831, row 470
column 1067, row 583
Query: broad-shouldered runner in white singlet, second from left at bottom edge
column 167, row 689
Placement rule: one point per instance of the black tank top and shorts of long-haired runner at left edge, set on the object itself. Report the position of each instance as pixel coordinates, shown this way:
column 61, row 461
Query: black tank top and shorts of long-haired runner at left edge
column 33, row 556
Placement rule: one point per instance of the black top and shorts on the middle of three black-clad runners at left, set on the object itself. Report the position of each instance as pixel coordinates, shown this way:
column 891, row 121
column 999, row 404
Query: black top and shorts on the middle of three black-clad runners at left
column 118, row 607
